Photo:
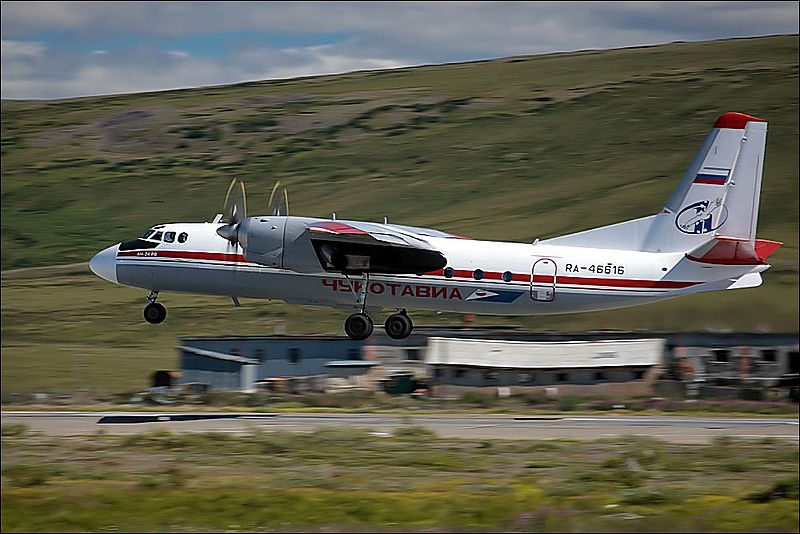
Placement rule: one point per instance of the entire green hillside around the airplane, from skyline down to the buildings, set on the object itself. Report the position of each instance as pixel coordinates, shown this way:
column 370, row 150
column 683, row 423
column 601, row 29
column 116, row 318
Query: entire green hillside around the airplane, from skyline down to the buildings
column 508, row 149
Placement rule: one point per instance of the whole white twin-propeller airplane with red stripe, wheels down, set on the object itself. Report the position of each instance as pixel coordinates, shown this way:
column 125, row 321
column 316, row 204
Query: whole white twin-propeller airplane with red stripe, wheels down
column 704, row 239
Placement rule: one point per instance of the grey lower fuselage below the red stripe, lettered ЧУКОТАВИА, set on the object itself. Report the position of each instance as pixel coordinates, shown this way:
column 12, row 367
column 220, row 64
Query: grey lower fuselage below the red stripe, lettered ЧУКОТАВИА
column 409, row 292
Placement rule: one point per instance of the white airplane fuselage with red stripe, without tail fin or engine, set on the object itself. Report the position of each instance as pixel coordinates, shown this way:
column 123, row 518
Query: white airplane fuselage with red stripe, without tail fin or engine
column 517, row 279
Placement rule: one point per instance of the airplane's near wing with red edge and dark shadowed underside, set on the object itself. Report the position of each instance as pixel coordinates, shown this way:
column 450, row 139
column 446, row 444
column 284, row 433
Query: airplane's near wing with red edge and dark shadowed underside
column 358, row 247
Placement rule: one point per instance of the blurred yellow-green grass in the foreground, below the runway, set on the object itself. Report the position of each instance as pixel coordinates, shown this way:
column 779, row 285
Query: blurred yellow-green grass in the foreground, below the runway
column 348, row 479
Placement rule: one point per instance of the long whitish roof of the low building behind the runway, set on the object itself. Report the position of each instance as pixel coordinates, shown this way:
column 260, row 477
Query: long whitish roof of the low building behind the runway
column 544, row 355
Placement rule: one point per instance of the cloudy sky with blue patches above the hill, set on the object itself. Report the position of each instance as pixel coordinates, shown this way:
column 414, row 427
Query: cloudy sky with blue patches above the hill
column 67, row 49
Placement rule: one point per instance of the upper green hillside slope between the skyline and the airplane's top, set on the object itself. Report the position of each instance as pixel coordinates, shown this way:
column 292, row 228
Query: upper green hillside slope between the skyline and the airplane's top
column 509, row 149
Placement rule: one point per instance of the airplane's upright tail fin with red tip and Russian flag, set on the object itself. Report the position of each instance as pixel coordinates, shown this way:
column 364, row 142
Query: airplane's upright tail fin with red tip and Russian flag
column 719, row 194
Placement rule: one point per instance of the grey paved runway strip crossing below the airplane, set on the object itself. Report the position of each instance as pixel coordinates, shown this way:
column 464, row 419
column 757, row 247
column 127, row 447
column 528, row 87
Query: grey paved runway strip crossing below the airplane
column 468, row 426
